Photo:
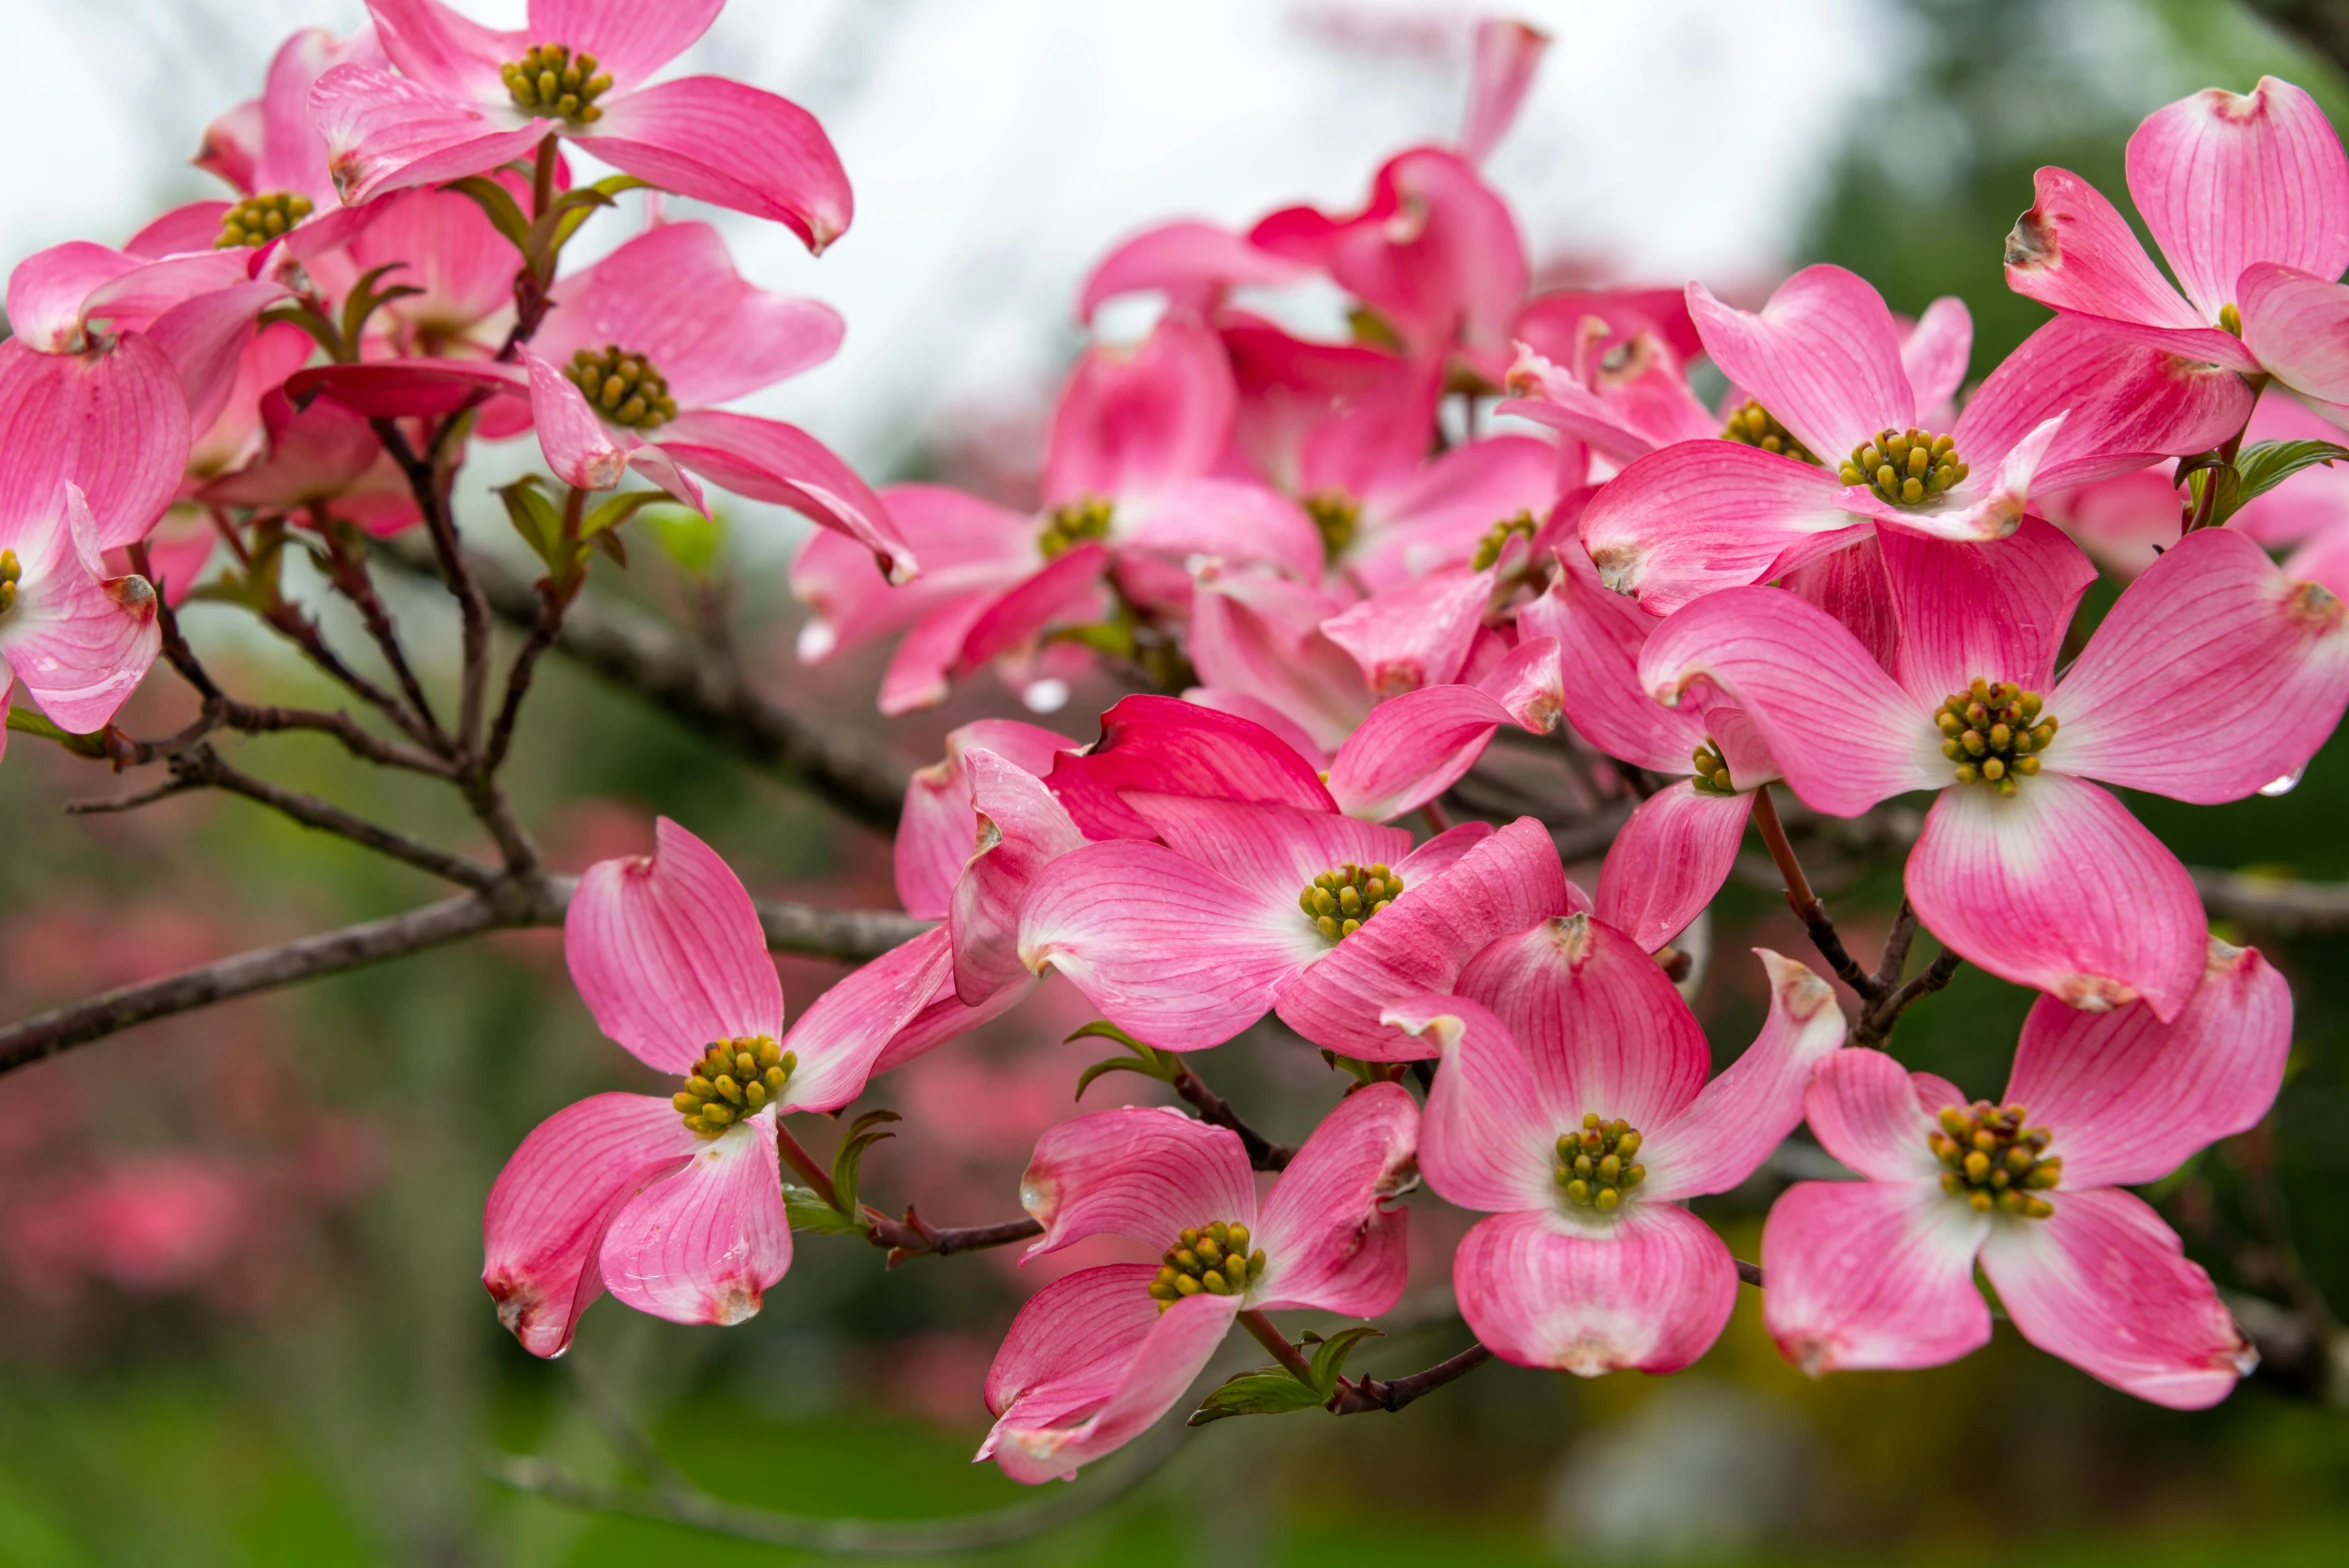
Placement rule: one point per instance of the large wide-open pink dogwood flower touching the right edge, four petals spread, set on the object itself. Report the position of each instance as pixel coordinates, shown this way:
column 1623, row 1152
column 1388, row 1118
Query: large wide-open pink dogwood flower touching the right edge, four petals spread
column 2026, row 867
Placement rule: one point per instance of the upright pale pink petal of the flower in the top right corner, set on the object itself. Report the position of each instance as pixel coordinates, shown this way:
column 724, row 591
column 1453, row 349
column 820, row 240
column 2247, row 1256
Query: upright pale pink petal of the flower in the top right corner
column 2228, row 180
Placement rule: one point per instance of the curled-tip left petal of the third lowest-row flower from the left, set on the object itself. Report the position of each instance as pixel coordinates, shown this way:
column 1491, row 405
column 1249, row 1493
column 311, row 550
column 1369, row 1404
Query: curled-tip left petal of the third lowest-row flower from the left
column 1490, row 1133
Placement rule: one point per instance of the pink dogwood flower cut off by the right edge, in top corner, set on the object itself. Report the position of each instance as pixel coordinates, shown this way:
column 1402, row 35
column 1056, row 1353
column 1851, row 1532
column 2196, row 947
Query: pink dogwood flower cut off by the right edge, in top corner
column 2249, row 201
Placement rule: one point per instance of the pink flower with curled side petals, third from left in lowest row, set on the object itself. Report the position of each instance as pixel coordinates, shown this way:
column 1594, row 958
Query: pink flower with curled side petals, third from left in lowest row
column 1573, row 1107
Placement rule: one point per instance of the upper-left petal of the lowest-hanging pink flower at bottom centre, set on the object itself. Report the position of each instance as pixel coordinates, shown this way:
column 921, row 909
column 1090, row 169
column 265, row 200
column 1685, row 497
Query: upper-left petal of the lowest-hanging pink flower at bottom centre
column 1138, row 1172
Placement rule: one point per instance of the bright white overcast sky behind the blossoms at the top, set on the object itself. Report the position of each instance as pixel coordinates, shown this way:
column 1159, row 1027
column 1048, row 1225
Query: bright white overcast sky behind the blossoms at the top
column 999, row 147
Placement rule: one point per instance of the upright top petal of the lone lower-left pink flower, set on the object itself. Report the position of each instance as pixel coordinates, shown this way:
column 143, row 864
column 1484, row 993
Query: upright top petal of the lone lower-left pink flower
column 668, row 952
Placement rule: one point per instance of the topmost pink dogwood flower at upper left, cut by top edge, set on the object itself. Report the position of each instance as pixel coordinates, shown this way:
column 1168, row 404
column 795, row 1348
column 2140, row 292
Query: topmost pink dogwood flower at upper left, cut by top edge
column 471, row 100
